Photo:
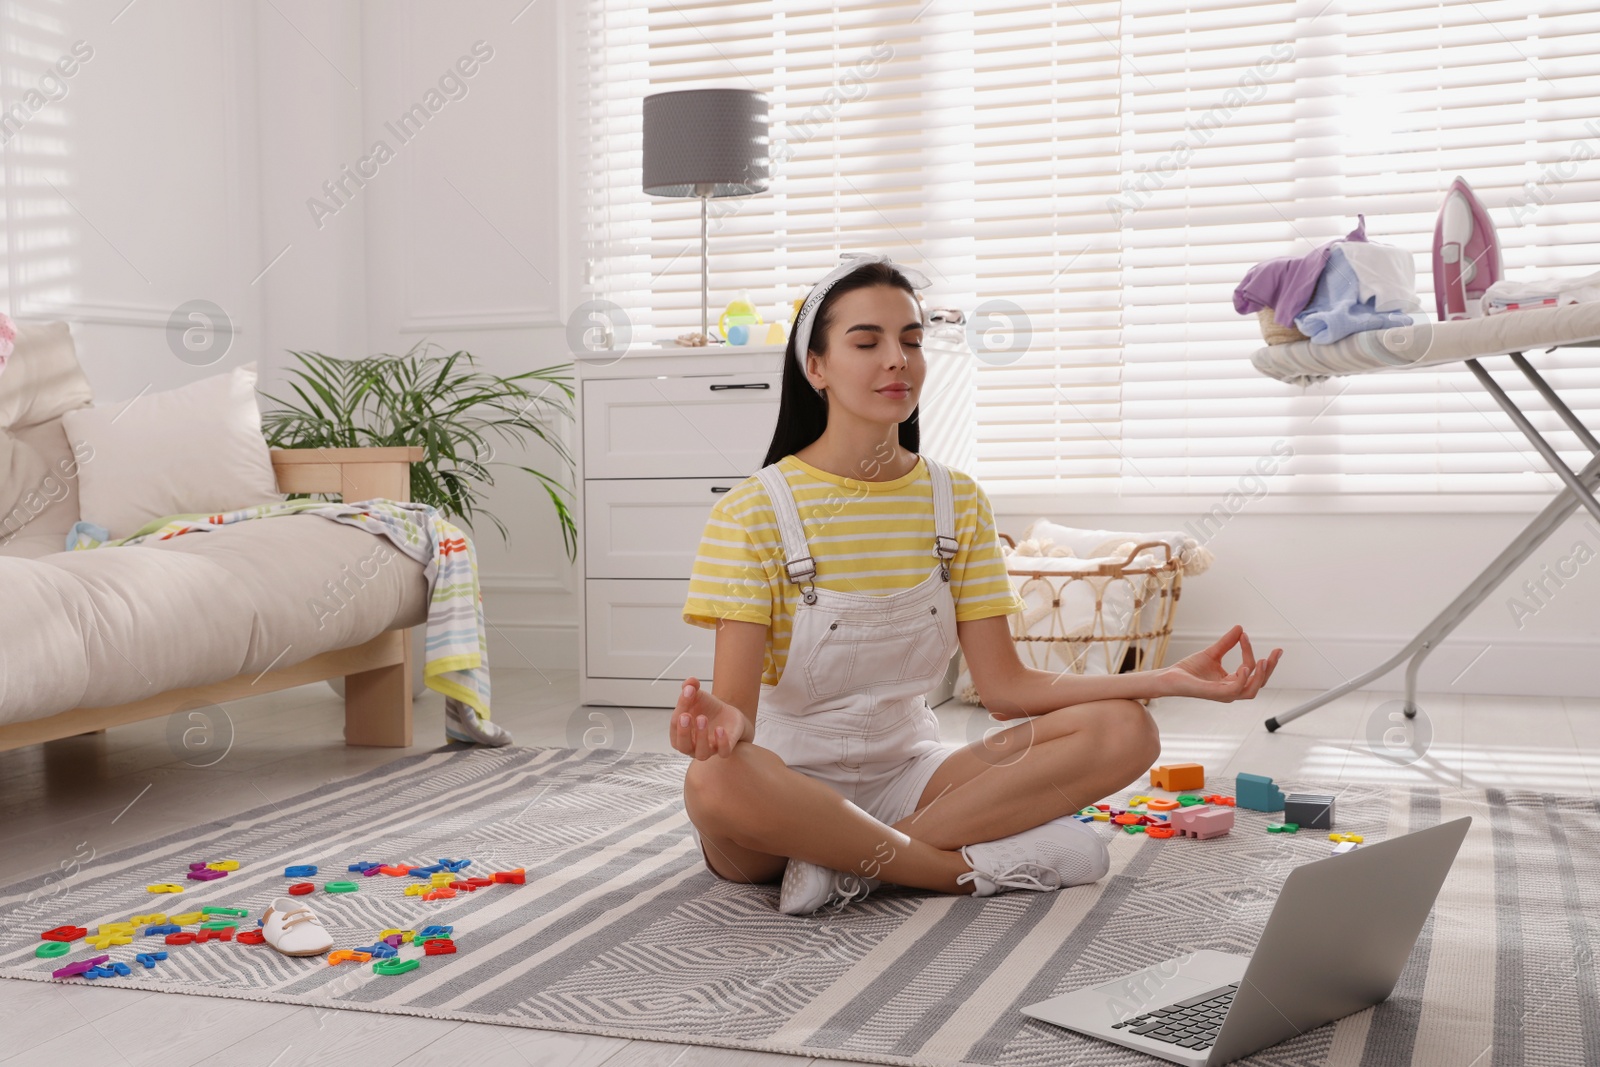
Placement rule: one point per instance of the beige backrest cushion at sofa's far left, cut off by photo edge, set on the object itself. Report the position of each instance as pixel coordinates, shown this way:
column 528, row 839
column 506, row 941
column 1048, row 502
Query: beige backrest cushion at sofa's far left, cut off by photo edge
column 38, row 468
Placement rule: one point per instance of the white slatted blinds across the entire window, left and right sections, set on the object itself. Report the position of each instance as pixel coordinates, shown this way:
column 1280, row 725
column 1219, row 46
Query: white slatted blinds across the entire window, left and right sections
column 1090, row 182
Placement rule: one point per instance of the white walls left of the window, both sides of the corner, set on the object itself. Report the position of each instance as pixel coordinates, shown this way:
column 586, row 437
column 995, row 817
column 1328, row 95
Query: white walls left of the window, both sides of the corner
column 178, row 161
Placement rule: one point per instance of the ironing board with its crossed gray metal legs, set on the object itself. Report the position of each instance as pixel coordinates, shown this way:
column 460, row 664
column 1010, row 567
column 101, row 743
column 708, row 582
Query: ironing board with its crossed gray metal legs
column 1470, row 340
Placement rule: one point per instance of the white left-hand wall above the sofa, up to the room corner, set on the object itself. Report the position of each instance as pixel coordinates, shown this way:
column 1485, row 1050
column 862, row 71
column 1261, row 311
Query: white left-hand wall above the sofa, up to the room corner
column 132, row 178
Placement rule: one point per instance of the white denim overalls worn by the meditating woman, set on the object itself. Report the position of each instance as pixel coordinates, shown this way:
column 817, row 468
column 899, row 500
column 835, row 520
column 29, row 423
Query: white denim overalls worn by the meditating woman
column 850, row 706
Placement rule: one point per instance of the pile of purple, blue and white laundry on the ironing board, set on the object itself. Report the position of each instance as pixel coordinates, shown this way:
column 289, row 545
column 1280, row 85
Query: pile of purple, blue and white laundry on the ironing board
column 1337, row 290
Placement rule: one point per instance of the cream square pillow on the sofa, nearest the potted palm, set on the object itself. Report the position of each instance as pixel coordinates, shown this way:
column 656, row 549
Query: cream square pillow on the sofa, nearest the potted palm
column 190, row 450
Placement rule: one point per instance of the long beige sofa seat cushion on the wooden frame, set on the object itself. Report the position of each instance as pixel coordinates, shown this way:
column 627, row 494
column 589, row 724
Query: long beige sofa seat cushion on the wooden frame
column 110, row 626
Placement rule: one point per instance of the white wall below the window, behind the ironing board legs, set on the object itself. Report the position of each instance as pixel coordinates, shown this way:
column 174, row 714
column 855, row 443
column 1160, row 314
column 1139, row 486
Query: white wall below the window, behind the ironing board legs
column 1342, row 594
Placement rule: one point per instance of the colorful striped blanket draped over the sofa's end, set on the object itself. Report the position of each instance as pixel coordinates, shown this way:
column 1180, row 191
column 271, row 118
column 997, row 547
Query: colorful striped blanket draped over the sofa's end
column 457, row 660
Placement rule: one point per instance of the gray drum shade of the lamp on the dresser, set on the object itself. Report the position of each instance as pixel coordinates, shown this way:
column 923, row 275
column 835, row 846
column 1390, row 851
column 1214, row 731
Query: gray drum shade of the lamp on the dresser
column 706, row 143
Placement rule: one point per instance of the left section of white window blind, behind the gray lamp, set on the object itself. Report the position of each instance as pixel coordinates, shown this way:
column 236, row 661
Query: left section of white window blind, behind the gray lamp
column 863, row 154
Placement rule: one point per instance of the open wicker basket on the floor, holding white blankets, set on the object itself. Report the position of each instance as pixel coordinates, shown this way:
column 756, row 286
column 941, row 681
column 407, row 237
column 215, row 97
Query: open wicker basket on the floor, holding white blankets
column 1127, row 634
